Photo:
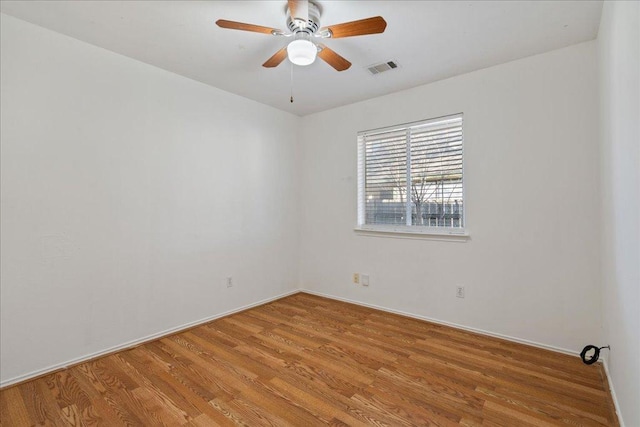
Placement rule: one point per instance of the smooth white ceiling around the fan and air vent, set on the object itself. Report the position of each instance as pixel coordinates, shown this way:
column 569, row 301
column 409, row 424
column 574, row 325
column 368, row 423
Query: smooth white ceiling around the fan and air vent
column 431, row 40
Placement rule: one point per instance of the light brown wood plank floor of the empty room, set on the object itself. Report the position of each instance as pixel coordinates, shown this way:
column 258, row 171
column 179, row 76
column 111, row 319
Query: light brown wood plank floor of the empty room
column 306, row 360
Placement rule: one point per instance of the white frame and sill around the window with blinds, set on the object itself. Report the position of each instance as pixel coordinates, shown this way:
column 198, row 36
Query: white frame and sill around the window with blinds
column 407, row 231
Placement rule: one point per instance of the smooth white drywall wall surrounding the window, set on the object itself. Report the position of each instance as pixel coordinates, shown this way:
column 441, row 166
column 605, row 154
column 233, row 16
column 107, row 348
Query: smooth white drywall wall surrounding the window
column 531, row 265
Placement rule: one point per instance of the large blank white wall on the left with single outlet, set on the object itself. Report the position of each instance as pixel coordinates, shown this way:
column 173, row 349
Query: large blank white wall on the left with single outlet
column 128, row 195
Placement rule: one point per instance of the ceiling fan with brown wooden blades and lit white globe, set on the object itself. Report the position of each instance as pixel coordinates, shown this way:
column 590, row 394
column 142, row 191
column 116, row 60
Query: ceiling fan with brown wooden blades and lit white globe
column 303, row 22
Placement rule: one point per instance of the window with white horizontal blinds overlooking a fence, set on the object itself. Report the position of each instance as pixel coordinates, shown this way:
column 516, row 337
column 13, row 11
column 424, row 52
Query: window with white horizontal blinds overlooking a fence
column 410, row 177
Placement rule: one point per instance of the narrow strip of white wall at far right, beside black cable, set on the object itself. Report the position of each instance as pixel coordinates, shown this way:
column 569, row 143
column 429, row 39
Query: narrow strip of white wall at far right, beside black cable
column 619, row 58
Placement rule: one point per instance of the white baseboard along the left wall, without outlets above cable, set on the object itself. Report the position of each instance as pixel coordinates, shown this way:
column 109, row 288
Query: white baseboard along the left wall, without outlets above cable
column 135, row 343
